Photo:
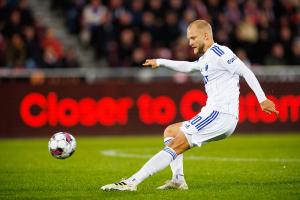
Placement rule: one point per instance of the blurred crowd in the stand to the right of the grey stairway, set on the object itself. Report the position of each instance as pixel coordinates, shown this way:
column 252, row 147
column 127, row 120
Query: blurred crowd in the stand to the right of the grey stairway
column 262, row 32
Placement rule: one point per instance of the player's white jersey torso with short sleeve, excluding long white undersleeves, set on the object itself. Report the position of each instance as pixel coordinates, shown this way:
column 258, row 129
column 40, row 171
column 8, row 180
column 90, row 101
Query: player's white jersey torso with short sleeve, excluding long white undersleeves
column 217, row 66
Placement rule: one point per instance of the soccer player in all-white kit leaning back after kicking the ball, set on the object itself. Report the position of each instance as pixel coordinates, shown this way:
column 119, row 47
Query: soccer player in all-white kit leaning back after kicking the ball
column 221, row 70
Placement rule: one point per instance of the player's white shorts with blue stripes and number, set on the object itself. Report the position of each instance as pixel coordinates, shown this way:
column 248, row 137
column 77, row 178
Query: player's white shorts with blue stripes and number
column 207, row 126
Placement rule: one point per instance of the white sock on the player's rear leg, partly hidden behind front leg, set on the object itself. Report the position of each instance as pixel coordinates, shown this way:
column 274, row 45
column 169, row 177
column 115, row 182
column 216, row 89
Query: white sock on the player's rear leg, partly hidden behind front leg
column 176, row 165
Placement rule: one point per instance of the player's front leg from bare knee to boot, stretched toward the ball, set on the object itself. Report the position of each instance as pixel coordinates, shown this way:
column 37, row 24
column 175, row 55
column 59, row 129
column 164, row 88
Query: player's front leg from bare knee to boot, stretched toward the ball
column 158, row 162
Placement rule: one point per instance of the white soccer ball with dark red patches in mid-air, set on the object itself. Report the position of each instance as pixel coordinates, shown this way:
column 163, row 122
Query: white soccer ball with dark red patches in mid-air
column 62, row 145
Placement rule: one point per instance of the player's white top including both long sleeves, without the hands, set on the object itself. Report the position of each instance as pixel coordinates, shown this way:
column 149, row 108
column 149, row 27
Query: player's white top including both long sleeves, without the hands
column 221, row 69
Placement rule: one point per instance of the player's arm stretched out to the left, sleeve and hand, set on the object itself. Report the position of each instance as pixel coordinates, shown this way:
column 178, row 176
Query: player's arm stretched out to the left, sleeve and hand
column 181, row 66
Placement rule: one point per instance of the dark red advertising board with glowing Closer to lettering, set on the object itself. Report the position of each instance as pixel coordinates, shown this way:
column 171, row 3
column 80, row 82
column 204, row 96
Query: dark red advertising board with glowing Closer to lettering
column 131, row 108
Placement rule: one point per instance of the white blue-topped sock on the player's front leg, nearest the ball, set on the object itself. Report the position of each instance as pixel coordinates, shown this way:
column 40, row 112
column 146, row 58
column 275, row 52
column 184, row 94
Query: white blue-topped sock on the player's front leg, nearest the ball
column 158, row 162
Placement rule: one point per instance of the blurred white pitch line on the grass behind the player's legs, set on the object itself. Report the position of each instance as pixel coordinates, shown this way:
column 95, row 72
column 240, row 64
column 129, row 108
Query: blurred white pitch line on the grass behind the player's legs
column 118, row 153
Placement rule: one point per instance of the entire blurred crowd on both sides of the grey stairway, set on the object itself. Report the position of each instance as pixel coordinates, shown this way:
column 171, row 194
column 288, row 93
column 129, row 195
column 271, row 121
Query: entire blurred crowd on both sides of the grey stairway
column 126, row 32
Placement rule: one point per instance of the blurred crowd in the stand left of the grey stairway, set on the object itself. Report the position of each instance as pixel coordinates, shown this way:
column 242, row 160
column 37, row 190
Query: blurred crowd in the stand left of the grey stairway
column 26, row 43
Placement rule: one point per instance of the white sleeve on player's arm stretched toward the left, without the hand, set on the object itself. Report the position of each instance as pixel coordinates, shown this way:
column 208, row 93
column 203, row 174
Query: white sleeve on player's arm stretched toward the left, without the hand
column 181, row 66
